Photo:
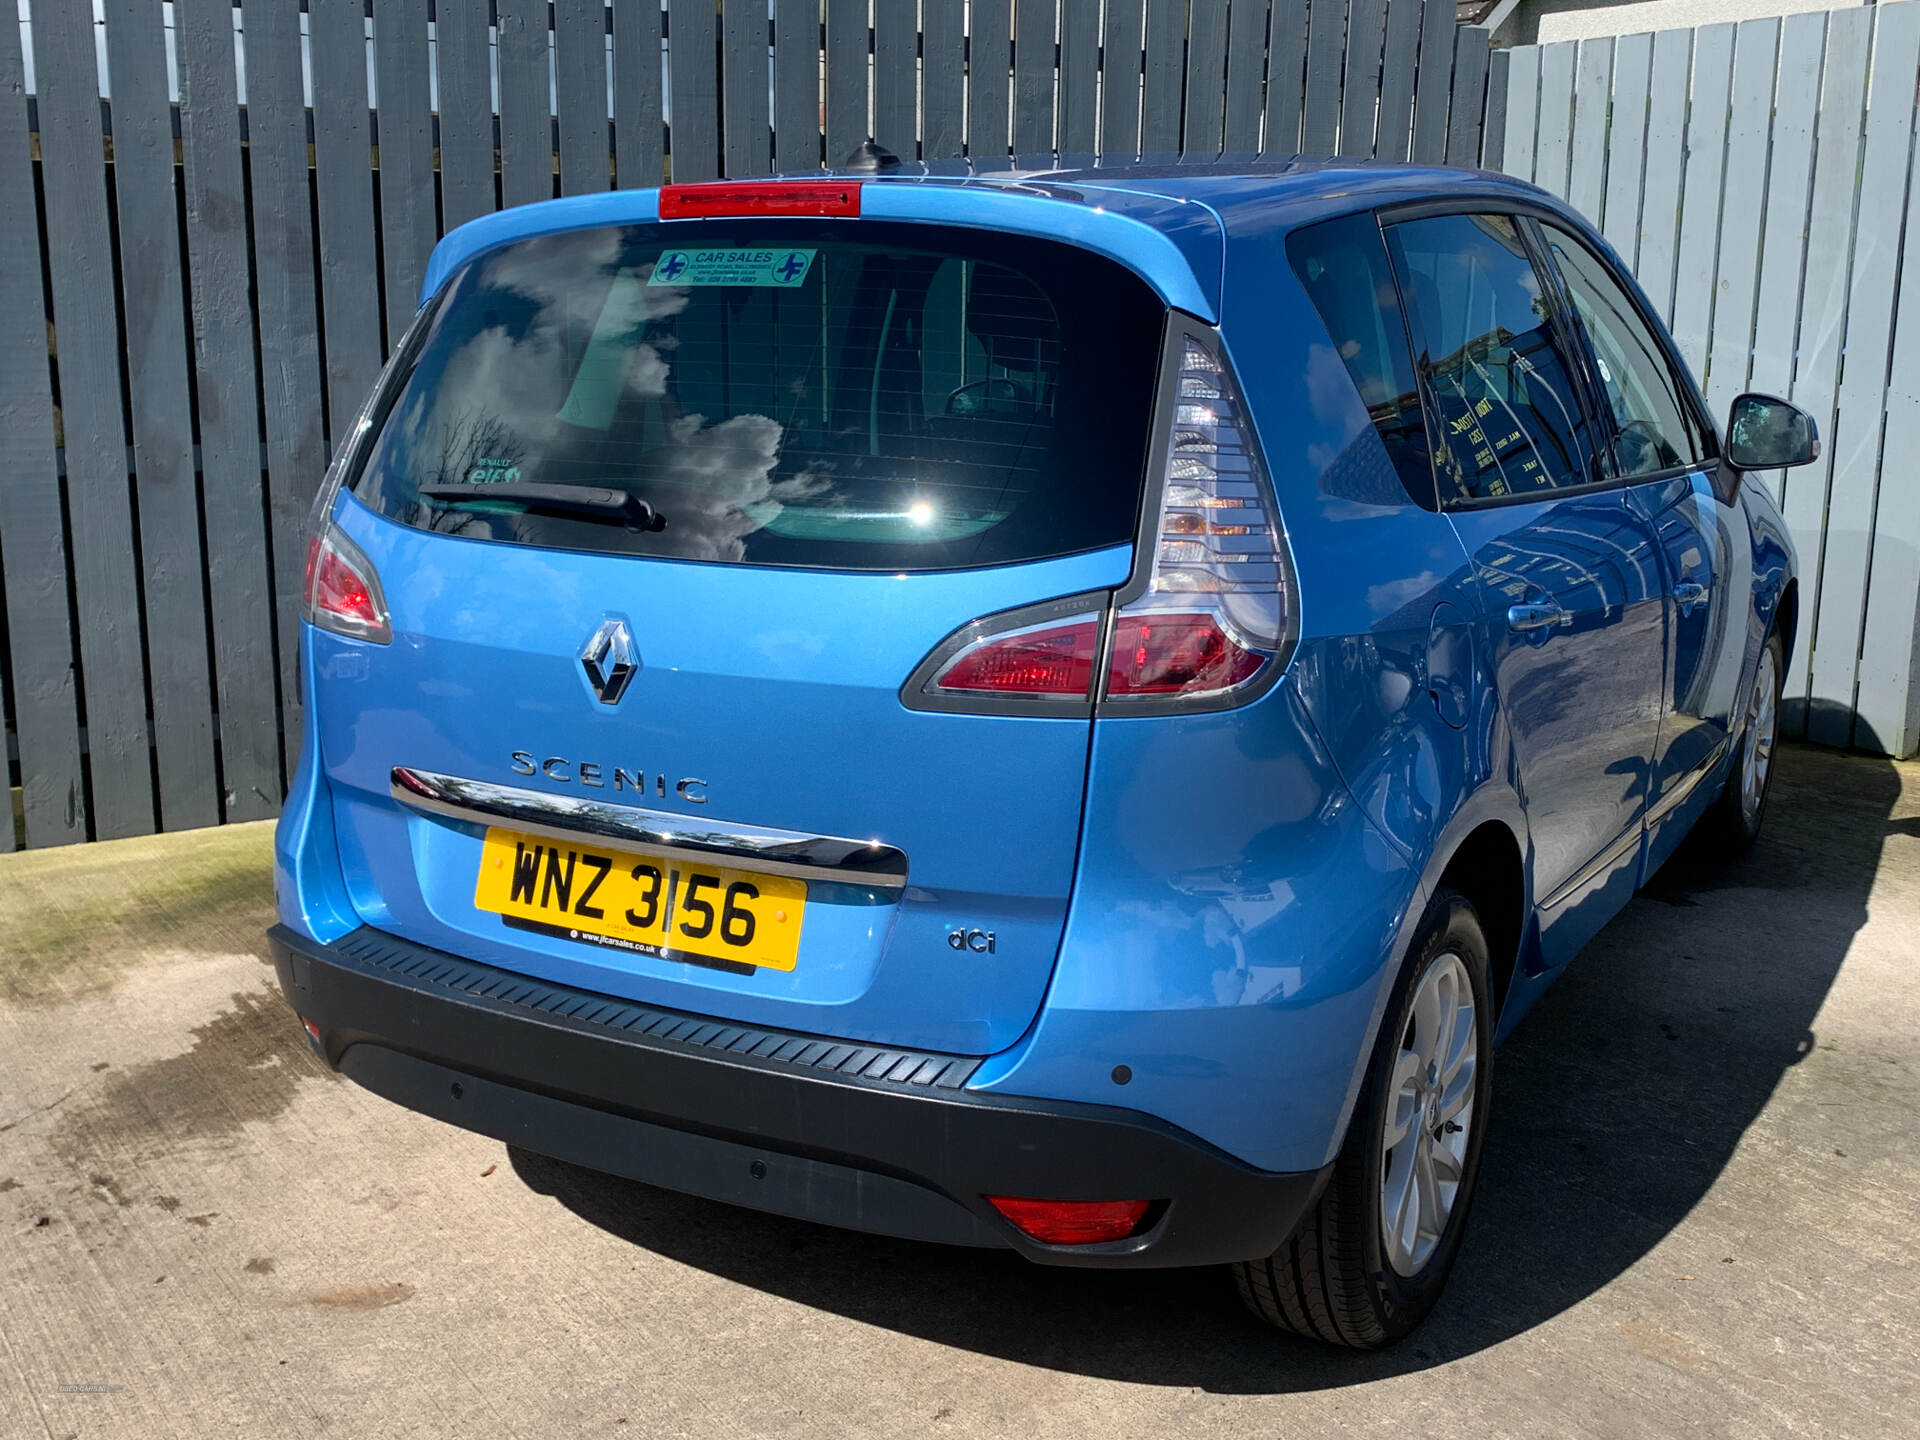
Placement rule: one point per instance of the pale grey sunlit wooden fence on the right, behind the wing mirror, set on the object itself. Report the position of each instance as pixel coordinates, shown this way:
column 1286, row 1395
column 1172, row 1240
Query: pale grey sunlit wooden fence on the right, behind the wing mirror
column 1760, row 180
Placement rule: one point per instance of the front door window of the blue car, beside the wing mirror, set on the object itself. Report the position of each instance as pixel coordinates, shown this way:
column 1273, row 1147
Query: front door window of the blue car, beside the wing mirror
column 1654, row 423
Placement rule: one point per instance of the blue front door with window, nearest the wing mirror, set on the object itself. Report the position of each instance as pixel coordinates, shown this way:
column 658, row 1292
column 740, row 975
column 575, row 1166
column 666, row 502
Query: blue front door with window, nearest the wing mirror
column 1664, row 448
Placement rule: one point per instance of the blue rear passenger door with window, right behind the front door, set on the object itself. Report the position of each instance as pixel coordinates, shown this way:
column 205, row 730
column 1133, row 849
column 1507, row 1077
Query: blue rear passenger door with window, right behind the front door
column 1566, row 565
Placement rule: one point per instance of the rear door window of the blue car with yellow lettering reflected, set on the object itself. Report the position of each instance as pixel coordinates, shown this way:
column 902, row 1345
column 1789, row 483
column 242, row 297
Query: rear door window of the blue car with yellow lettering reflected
column 1502, row 398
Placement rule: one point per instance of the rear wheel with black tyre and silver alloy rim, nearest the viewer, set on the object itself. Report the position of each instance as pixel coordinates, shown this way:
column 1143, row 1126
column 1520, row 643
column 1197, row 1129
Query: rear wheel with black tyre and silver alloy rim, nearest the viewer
column 1351, row 1276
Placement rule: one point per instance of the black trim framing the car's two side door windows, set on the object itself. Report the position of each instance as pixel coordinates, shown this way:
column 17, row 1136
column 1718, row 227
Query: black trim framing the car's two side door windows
column 1529, row 218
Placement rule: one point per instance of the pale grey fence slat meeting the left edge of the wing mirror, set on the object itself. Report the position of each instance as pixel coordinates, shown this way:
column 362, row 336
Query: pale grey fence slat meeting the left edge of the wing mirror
column 1750, row 122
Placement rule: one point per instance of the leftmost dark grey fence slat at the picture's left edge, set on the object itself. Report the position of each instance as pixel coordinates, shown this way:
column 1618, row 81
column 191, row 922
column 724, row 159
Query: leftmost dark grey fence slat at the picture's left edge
column 45, row 713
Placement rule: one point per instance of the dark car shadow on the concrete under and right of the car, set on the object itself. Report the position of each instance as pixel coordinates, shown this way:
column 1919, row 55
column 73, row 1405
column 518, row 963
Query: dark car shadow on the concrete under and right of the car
column 1618, row 1105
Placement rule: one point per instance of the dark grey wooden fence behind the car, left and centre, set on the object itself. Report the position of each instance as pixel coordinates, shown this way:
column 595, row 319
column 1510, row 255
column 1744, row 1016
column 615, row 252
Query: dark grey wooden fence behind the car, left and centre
column 228, row 239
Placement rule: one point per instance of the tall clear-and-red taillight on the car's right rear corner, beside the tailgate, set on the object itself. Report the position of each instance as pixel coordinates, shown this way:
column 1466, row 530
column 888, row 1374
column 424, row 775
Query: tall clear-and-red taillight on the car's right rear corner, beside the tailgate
column 1218, row 606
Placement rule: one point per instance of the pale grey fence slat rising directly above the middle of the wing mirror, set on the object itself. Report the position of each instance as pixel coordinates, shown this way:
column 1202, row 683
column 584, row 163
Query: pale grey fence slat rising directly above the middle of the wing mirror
column 1788, row 178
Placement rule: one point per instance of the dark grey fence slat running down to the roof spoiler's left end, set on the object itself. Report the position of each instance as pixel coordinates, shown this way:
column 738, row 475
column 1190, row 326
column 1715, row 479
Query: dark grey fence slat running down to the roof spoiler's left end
column 408, row 226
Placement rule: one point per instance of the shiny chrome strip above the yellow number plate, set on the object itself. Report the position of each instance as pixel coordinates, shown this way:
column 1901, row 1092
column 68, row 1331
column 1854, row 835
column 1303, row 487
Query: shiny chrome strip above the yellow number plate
column 573, row 819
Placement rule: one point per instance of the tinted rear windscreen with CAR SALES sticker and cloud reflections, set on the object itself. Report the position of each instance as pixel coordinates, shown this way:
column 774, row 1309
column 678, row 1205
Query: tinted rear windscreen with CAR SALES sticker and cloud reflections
column 780, row 395
